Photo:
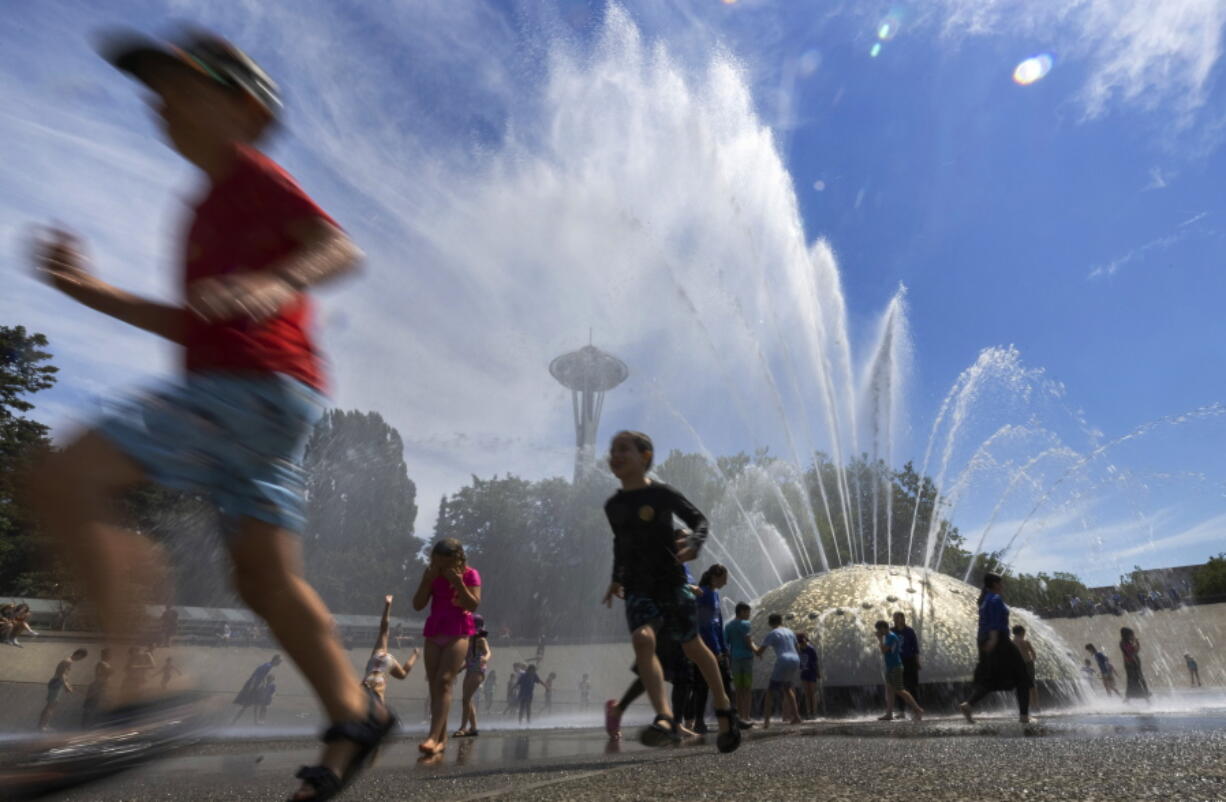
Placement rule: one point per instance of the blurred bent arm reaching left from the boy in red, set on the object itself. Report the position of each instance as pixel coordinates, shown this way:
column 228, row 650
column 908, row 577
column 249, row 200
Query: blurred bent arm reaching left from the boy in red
column 59, row 259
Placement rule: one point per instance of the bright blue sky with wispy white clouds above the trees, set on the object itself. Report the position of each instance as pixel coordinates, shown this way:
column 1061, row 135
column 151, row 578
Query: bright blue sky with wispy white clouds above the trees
column 661, row 174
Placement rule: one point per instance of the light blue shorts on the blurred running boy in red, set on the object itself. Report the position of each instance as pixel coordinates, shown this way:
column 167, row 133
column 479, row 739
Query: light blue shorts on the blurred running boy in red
column 238, row 440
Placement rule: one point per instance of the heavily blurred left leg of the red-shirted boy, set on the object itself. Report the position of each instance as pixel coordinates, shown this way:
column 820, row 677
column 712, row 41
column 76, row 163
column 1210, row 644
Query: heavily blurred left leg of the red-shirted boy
column 75, row 495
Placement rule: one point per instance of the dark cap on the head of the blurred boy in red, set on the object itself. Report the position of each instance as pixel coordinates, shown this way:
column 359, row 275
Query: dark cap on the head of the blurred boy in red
column 199, row 51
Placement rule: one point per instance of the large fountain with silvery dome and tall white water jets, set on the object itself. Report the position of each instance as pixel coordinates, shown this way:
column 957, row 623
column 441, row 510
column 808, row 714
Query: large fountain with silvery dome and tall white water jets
column 746, row 295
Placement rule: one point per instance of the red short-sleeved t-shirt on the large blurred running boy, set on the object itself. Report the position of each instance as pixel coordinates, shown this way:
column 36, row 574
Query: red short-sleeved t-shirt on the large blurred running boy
column 243, row 225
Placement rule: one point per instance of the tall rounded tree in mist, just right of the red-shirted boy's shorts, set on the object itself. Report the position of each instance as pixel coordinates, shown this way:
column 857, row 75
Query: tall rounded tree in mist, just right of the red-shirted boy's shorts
column 362, row 508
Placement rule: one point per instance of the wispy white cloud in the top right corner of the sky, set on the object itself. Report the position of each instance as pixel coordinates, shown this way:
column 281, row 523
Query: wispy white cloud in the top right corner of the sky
column 1138, row 52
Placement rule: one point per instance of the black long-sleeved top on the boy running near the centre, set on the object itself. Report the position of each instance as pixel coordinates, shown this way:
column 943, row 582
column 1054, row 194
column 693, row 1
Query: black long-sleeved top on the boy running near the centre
column 644, row 539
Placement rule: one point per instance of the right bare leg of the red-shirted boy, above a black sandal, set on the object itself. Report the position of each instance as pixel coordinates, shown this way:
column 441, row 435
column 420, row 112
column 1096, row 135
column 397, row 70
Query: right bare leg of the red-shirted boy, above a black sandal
column 268, row 576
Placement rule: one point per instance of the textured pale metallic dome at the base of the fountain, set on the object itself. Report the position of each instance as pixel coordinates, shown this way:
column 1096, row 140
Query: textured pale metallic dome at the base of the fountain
column 840, row 608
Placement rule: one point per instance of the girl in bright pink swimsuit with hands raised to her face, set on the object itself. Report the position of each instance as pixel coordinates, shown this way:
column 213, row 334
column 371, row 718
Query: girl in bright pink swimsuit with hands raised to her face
column 453, row 590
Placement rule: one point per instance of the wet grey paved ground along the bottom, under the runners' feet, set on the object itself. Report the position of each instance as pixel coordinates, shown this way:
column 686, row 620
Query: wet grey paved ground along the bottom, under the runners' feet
column 1065, row 758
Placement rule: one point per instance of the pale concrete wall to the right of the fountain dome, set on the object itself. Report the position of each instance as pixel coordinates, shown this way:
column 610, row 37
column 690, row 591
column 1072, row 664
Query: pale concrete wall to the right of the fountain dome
column 1165, row 637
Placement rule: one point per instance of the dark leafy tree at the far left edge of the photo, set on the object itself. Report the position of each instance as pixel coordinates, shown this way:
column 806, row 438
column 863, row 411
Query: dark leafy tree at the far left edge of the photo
column 25, row 371
